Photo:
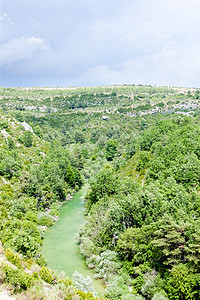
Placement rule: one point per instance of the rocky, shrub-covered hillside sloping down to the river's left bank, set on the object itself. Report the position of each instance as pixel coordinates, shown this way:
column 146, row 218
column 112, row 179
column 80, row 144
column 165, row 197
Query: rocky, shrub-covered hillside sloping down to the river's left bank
column 35, row 178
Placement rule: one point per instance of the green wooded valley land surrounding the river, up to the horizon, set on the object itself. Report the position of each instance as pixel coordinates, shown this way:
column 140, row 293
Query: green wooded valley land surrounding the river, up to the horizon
column 138, row 149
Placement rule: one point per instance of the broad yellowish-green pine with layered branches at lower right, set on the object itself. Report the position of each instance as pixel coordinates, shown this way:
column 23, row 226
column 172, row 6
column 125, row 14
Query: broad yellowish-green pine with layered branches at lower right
column 165, row 242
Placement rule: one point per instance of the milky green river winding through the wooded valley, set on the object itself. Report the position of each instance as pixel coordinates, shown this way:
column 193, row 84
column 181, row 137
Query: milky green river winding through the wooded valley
column 60, row 248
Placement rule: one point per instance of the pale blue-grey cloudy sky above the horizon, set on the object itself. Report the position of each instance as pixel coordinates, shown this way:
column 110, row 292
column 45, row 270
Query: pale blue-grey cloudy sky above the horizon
column 99, row 42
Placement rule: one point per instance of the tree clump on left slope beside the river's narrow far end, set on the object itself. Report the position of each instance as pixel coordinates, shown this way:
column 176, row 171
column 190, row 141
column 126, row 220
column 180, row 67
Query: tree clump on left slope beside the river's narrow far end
column 48, row 181
